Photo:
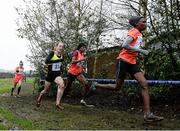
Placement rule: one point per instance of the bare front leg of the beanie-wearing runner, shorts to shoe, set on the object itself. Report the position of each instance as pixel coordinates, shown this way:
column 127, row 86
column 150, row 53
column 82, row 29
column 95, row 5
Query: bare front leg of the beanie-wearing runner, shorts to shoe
column 145, row 93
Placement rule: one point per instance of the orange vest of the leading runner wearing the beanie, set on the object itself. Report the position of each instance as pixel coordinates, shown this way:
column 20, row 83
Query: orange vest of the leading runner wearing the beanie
column 128, row 55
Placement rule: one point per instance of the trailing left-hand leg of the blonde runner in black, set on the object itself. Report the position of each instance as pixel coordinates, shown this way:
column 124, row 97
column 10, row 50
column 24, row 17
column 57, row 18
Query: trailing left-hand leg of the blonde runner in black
column 44, row 91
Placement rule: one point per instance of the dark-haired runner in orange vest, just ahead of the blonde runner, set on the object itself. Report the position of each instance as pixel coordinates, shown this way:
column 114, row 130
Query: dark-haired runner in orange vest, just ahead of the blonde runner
column 75, row 71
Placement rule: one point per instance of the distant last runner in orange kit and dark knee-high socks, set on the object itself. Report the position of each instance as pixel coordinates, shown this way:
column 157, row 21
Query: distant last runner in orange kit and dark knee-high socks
column 18, row 78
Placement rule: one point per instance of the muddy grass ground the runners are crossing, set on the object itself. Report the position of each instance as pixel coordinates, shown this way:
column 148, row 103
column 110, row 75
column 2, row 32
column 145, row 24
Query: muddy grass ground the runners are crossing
column 21, row 113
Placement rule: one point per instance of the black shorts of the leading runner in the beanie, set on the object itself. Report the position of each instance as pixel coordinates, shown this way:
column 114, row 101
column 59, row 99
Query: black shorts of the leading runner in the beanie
column 122, row 67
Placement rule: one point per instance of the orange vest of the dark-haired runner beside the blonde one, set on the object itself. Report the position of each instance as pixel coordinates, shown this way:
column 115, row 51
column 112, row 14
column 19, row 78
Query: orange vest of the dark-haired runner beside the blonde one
column 77, row 68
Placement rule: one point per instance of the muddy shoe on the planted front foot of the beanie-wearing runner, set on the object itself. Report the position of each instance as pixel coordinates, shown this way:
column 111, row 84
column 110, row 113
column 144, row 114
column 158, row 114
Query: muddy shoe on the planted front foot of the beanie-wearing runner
column 150, row 117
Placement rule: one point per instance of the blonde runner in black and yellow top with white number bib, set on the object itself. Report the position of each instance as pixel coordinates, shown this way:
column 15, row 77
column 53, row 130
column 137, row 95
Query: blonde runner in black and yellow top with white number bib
column 54, row 61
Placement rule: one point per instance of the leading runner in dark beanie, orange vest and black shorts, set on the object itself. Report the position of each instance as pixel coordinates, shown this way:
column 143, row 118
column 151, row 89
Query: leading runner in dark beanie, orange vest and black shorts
column 126, row 62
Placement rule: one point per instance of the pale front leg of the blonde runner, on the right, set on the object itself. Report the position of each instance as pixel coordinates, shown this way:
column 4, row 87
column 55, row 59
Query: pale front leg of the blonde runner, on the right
column 60, row 92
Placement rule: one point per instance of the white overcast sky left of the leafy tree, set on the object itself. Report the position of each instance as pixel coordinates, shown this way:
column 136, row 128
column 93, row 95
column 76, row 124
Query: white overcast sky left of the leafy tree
column 12, row 48
